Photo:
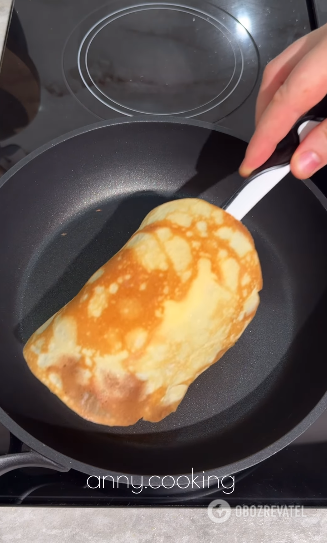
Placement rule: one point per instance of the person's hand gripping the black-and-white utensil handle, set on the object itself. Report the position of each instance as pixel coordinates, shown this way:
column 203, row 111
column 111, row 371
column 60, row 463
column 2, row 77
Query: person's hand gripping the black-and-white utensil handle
column 292, row 83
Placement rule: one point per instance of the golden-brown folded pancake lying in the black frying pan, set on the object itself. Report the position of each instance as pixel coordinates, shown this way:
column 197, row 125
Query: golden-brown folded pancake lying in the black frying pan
column 169, row 304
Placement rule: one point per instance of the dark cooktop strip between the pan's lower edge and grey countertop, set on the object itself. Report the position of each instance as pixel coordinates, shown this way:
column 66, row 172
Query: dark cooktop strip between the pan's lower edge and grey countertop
column 294, row 476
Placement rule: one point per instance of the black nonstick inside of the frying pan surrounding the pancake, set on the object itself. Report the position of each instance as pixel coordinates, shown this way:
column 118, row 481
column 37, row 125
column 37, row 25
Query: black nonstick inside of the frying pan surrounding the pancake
column 69, row 208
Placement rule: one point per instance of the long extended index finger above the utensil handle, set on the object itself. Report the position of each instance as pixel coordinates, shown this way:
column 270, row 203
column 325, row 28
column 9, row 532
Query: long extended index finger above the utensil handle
column 303, row 88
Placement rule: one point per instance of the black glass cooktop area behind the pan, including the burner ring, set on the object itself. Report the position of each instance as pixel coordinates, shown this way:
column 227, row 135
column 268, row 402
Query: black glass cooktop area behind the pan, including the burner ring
column 71, row 63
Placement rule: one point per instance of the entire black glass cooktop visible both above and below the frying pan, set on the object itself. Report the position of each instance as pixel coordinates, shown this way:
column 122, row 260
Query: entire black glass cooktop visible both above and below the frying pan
column 71, row 63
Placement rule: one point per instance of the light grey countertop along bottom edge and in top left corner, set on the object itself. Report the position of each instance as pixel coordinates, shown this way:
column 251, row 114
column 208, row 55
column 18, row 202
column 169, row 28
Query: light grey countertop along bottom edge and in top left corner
column 141, row 525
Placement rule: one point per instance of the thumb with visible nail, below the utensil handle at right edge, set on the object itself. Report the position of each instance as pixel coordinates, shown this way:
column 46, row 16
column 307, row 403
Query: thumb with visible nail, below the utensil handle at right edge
column 311, row 155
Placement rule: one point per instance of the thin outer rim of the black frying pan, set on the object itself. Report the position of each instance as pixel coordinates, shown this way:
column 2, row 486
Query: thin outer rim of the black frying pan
column 228, row 469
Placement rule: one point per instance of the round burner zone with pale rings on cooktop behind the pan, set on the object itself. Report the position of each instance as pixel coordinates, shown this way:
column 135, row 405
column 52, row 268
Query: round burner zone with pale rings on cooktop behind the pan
column 161, row 59
